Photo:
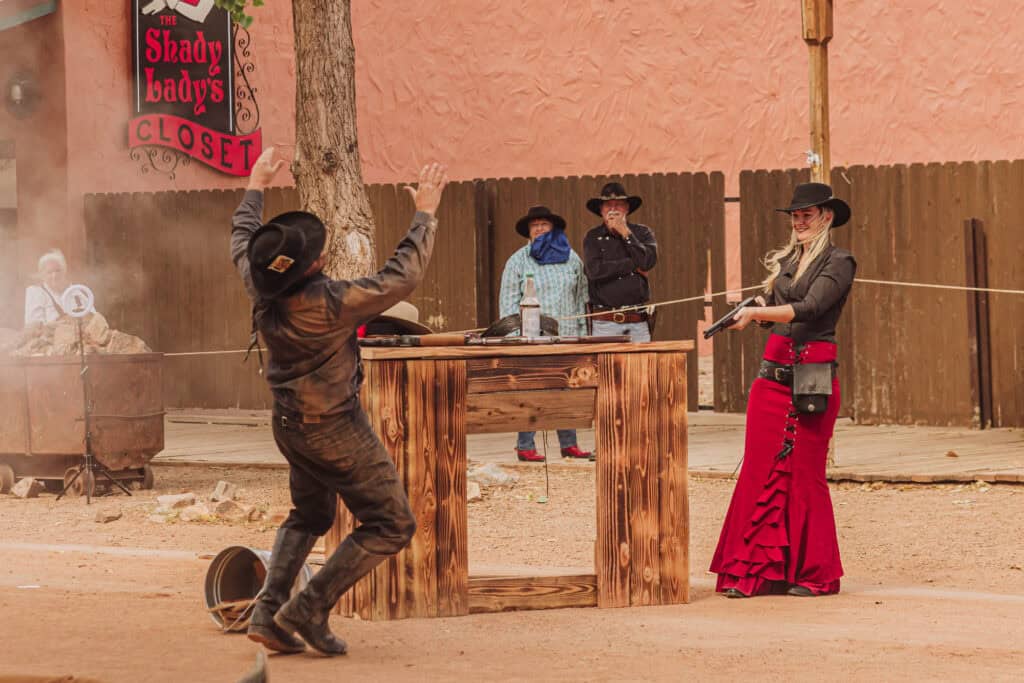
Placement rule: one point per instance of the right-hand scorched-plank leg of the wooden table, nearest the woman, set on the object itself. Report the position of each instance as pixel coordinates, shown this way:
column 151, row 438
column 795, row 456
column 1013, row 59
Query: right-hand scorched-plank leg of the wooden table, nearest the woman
column 643, row 506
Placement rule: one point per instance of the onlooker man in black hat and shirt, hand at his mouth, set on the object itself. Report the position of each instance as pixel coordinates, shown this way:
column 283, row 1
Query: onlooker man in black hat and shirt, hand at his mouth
column 618, row 257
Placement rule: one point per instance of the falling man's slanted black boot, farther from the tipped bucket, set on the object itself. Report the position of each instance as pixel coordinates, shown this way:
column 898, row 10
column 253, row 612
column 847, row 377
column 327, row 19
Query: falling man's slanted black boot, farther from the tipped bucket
column 309, row 612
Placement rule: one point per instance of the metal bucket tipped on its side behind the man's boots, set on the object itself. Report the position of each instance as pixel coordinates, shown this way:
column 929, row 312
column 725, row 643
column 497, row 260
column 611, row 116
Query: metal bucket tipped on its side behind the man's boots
column 237, row 575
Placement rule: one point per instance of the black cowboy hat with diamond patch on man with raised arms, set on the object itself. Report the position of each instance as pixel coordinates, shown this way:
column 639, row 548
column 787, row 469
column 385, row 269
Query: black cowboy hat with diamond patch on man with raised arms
column 282, row 251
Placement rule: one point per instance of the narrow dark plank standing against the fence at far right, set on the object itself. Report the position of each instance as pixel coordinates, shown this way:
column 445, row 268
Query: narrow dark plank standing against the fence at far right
column 976, row 266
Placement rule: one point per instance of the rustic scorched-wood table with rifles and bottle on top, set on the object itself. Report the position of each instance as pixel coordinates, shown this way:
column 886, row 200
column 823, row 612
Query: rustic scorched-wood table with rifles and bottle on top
column 423, row 402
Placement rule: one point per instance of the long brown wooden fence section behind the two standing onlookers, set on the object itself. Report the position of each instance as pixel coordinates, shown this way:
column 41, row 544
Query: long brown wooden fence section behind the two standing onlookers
column 160, row 267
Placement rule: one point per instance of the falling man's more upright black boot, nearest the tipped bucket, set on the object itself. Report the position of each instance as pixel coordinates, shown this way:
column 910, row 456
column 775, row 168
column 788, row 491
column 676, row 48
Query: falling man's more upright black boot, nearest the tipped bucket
column 289, row 554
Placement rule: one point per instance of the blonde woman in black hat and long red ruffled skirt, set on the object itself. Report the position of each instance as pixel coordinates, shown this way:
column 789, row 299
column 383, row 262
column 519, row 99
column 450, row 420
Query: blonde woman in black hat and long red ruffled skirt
column 780, row 534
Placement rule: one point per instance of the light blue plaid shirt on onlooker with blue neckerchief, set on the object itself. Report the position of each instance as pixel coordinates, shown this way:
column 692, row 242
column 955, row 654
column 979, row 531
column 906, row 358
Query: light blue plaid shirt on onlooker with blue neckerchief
column 561, row 287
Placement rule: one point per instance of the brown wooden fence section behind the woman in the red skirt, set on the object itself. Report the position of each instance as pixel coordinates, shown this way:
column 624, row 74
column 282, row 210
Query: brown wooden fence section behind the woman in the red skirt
column 906, row 353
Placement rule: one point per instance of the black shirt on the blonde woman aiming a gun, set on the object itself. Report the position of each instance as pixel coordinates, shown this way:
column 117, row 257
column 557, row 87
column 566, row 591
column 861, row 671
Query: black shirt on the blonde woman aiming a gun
column 818, row 298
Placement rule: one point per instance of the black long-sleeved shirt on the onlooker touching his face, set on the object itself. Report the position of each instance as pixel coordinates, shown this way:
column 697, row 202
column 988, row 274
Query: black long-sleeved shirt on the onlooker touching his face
column 612, row 265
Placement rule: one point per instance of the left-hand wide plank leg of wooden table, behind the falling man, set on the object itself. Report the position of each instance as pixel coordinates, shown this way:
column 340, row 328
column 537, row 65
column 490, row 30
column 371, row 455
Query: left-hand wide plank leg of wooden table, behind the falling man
column 418, row 408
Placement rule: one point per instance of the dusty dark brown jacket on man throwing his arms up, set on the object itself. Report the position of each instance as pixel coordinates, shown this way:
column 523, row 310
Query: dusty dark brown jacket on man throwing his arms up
column 314, row 365
